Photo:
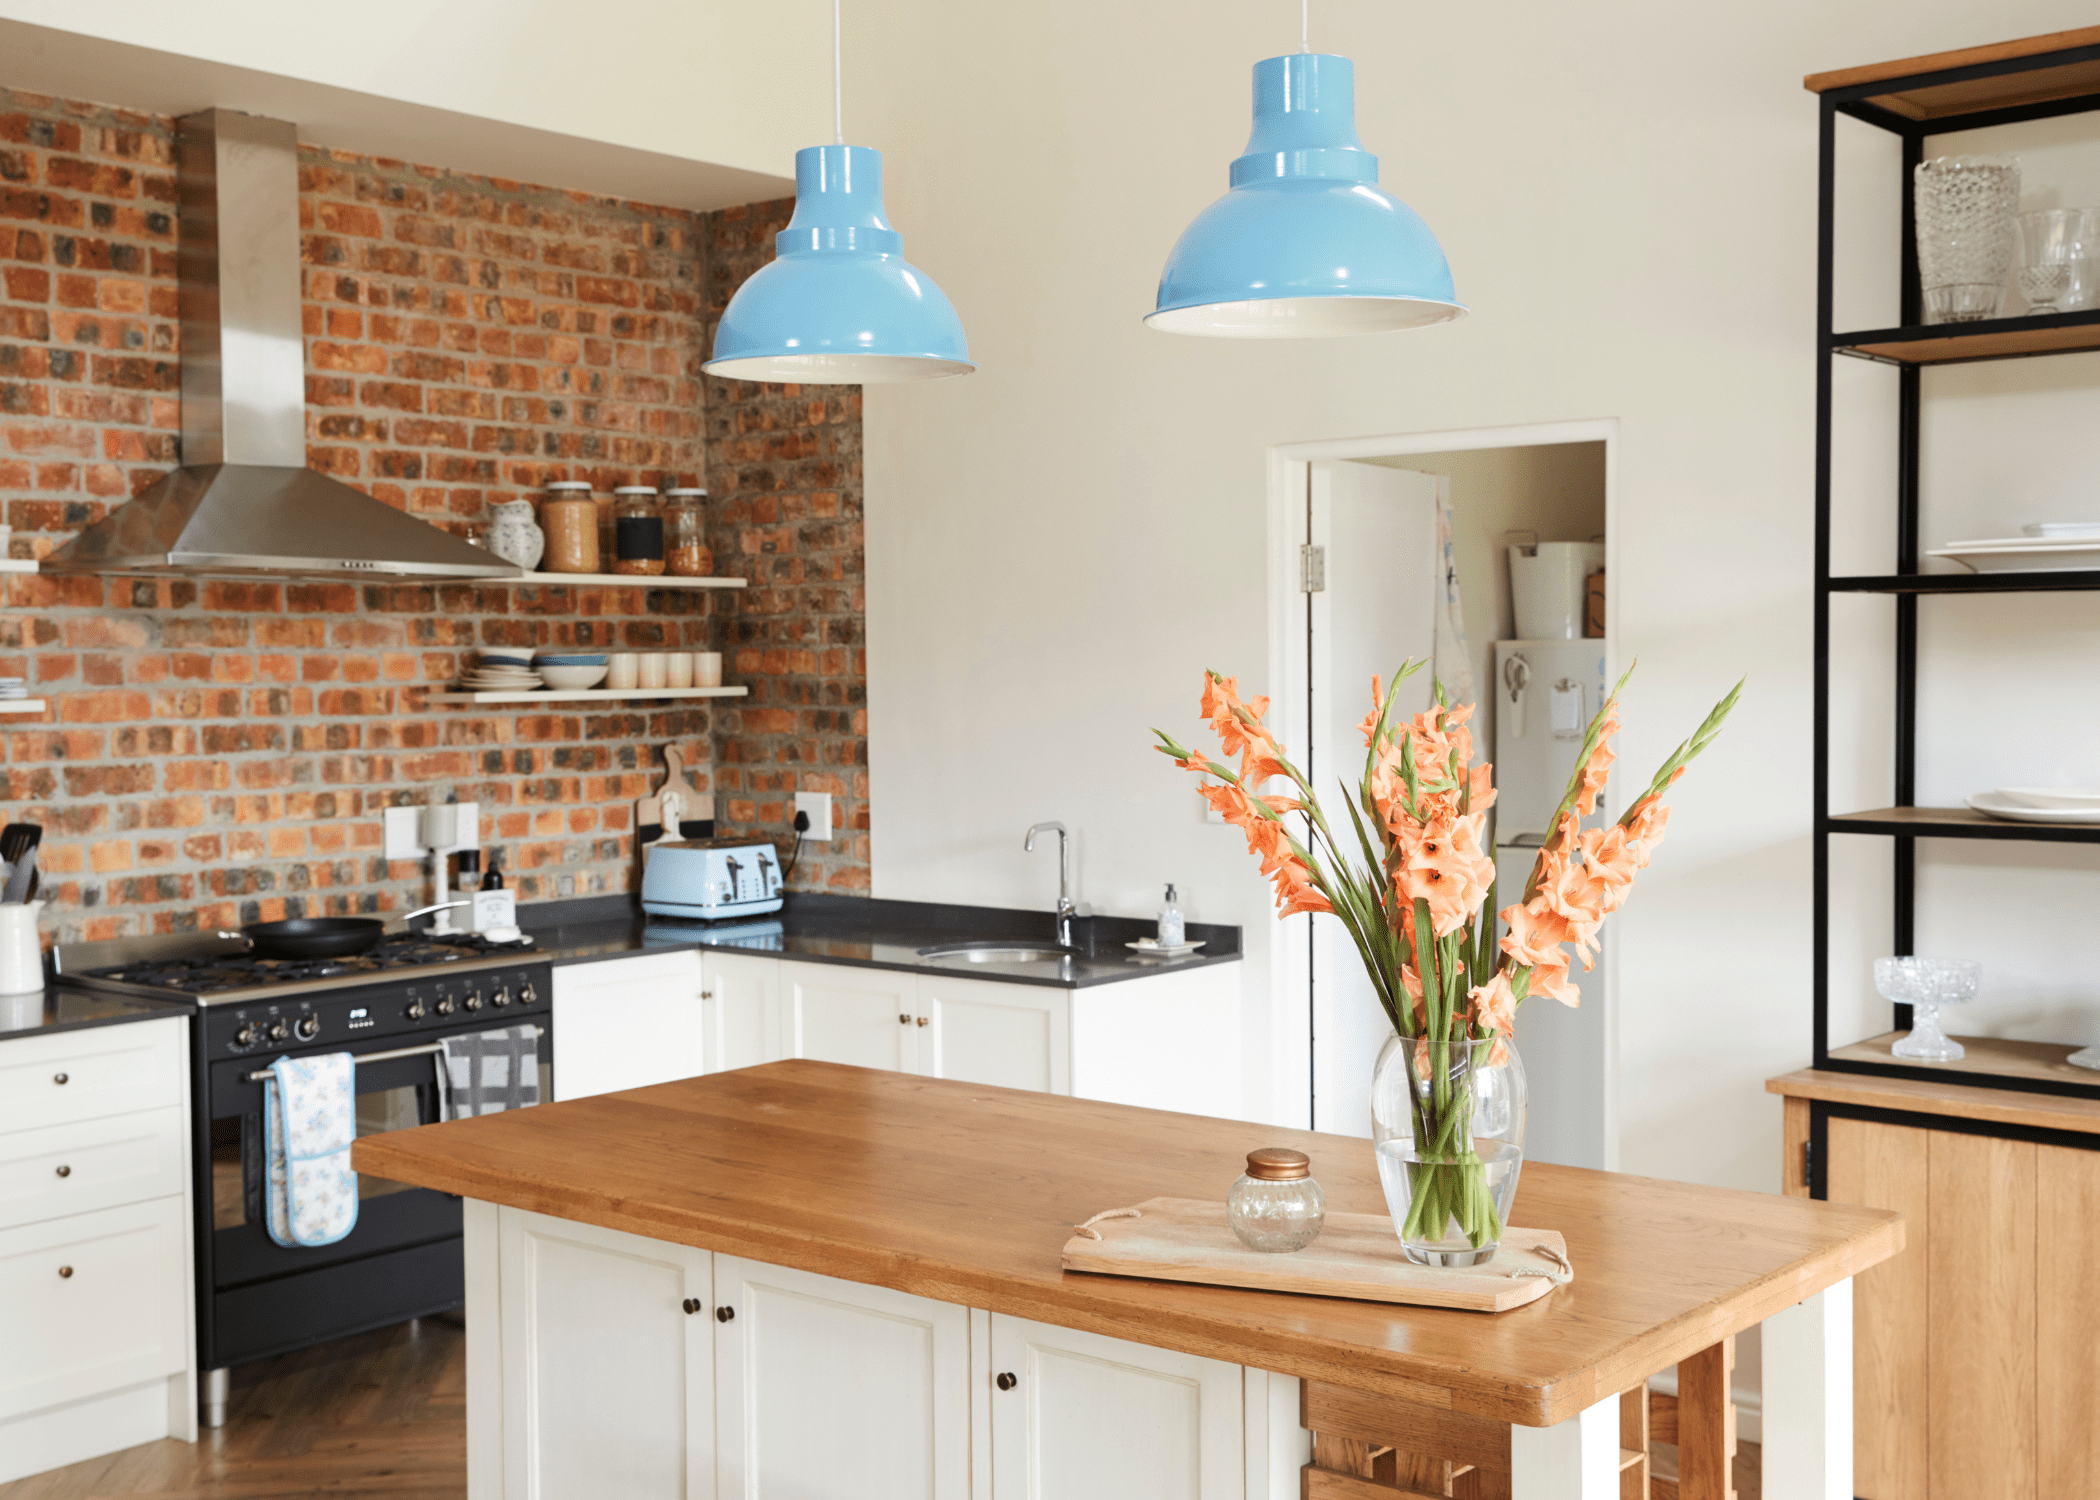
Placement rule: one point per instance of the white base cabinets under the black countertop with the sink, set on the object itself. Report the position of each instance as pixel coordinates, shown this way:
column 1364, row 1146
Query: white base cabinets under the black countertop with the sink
column 1164, row 1041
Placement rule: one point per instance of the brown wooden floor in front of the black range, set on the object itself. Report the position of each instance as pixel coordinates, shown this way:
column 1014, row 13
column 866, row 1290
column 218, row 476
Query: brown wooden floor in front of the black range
column 379, row 1415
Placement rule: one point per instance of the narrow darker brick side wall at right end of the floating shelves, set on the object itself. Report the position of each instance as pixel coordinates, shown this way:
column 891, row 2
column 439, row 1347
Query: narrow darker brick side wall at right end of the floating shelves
column 784, row 470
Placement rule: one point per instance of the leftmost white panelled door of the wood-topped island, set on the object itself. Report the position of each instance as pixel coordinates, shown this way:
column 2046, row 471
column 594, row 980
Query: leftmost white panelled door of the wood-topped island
column 608, row 1364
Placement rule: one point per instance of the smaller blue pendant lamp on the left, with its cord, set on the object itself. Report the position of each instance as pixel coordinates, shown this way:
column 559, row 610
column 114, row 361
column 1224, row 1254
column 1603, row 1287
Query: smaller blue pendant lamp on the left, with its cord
column 839, row 304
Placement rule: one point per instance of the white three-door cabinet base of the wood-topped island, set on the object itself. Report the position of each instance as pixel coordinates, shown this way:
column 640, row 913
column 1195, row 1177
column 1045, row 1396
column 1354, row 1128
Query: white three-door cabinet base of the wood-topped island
column 629, row 1367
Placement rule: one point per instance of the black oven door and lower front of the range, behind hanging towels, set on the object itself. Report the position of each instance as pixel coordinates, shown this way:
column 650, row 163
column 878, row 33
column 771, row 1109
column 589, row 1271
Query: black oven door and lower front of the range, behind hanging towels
column 400, row 1262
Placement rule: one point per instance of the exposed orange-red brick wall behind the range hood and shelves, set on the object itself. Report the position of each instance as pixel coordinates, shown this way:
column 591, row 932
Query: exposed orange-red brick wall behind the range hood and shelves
column 219, row 751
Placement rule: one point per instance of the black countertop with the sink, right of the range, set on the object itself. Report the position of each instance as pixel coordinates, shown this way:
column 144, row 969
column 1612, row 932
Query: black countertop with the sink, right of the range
column 866, row 934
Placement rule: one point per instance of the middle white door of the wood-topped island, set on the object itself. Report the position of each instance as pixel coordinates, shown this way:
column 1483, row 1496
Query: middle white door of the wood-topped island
column 839, row 1392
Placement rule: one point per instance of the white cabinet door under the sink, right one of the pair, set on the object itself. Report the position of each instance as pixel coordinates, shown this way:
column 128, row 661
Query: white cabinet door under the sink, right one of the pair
column 984, row 1033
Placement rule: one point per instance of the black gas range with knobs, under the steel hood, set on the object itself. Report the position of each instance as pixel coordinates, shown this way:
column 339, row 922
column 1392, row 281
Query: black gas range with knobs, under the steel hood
column 390, row 1009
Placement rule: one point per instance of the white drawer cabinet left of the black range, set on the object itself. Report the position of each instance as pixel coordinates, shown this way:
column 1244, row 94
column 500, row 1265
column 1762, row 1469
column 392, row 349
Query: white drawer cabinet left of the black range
column 96, row 1297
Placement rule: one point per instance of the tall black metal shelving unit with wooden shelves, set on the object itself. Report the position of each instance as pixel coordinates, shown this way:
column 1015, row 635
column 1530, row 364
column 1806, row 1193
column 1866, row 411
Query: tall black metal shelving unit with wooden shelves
column 2007, row 85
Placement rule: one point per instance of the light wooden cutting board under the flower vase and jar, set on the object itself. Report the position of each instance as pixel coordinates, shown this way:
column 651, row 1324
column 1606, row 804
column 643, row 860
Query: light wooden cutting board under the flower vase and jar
column 1356, row 1255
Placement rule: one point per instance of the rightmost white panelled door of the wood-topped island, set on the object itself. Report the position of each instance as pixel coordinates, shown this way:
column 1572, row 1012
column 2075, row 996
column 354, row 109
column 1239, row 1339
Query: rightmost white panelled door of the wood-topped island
column 1080, row 1417
